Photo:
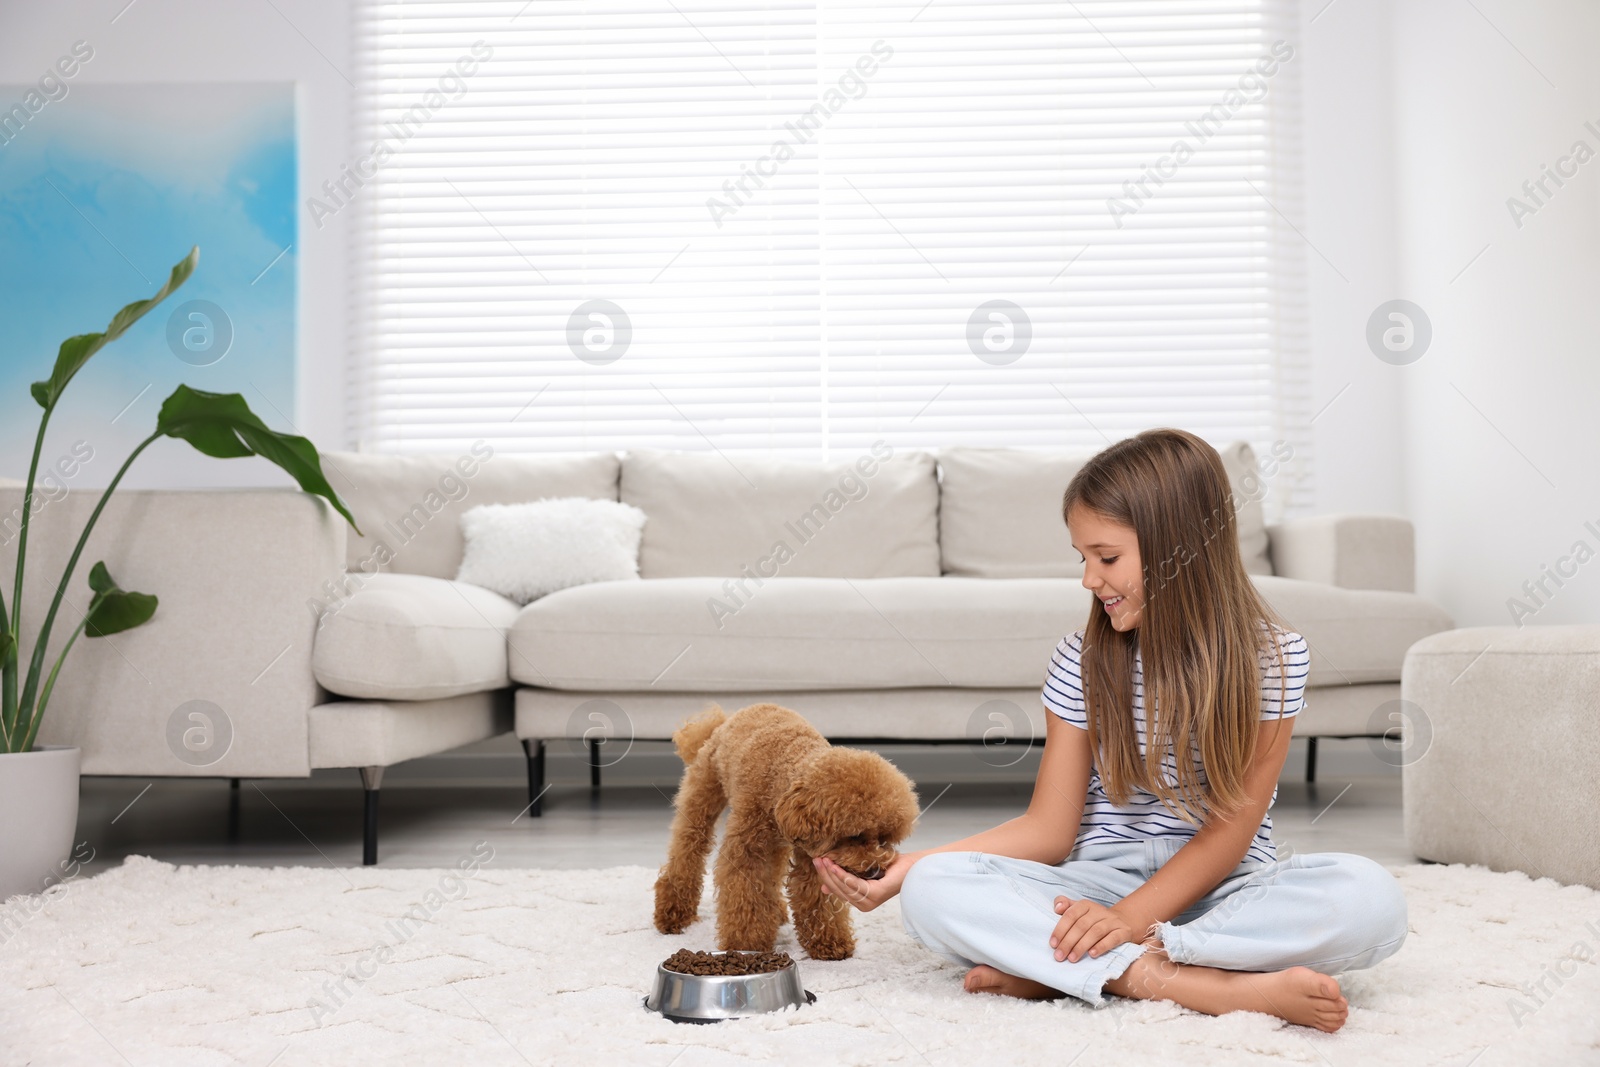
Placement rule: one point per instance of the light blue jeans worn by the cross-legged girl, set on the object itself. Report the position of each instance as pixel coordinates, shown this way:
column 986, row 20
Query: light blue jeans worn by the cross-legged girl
column 1327, row 911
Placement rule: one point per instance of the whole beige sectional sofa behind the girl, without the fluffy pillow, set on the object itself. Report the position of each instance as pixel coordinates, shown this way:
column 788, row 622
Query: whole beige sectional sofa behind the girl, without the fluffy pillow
column 916, row 597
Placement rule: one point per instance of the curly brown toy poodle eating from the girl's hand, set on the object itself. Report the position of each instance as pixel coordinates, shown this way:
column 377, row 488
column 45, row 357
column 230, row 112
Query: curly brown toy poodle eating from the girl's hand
column 791, row 797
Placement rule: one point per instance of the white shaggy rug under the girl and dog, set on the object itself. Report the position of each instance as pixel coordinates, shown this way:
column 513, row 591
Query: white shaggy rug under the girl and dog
column 153, row 964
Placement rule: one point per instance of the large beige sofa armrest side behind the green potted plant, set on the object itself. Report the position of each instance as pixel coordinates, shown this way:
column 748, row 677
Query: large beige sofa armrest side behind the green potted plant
column 239, row 575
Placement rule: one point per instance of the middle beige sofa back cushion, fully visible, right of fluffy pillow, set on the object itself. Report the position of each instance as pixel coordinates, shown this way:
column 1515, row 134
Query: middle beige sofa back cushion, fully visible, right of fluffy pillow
column 713, row 516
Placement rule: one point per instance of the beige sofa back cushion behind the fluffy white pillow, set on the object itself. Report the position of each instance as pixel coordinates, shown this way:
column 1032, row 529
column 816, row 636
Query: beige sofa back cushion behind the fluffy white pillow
column 409, row 508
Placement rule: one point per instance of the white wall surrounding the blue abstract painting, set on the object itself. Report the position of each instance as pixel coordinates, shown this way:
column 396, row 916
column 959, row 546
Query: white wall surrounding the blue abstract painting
column 206, row 41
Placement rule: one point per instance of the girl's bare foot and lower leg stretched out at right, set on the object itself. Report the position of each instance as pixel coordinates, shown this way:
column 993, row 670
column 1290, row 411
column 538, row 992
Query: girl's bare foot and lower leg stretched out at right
column 1298, row 994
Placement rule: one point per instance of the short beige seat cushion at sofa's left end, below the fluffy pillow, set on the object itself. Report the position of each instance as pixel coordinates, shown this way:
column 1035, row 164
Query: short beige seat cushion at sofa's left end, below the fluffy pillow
column 410, row 637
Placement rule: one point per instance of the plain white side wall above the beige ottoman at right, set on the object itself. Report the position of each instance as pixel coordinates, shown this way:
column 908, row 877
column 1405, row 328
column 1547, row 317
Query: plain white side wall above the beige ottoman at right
column 1502, row 414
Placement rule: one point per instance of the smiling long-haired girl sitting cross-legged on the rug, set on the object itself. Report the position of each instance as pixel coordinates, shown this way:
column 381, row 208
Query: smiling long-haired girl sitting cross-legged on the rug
column 1135, row 873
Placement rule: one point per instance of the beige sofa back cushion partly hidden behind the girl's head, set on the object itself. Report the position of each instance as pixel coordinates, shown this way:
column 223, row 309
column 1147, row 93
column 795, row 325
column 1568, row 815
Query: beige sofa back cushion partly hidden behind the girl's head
column 1001, row 511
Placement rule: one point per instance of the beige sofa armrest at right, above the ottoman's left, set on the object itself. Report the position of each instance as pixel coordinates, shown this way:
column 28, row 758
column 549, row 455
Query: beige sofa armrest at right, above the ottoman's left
column 1346, row 551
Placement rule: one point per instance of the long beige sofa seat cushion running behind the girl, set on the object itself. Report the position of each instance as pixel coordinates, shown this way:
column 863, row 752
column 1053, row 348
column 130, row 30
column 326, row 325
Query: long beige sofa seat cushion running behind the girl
column 809, row 634
